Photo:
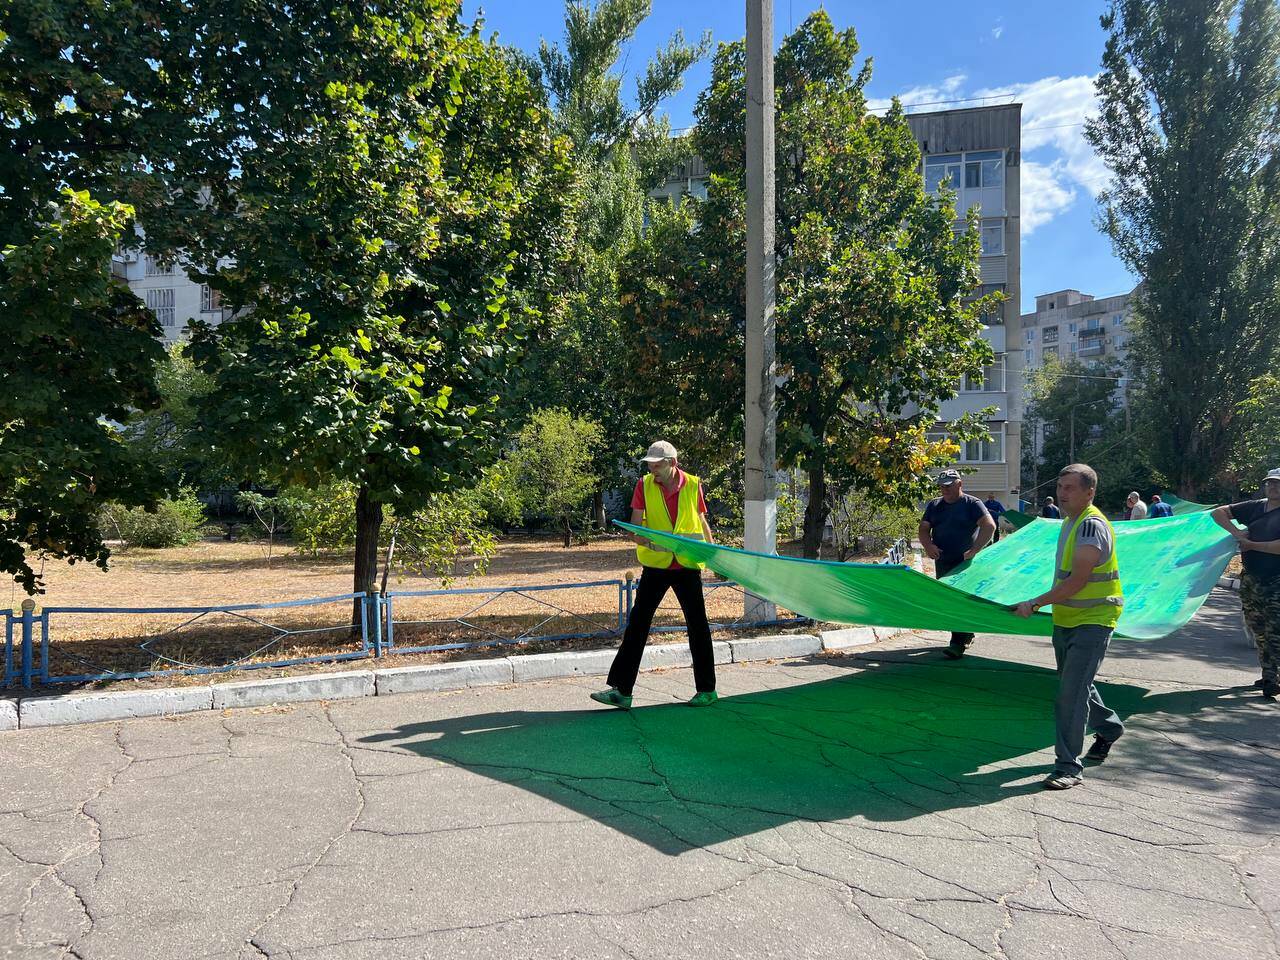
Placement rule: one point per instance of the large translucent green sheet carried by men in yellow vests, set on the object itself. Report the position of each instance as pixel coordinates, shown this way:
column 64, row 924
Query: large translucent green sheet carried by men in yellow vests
column 1167, row 568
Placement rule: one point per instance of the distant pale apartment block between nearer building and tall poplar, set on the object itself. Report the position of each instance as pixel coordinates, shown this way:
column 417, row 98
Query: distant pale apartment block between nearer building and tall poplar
column 1069, row 324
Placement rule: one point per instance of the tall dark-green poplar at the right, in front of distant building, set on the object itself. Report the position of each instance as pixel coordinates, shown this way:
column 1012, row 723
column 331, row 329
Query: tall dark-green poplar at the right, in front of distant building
column 1190, row 118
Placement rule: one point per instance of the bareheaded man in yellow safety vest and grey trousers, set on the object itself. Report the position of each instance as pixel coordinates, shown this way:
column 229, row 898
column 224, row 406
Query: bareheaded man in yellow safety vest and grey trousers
column 1087, row 601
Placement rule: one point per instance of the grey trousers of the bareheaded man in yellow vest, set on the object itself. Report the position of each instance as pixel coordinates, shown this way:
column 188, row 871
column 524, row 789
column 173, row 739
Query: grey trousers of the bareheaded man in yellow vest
column 1080, row 652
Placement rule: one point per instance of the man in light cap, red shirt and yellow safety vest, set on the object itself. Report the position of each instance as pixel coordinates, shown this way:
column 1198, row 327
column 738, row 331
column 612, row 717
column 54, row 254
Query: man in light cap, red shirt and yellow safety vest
column 668, row 500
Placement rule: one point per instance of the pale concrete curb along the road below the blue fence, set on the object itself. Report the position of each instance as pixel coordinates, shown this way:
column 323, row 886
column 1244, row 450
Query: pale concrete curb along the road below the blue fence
column 432, row 678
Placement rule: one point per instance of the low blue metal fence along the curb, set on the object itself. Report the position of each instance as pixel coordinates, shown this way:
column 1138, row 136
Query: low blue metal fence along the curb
column 31, row 638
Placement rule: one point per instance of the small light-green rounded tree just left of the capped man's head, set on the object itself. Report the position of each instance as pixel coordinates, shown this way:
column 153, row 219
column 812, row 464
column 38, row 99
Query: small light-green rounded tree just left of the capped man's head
column 554, row 455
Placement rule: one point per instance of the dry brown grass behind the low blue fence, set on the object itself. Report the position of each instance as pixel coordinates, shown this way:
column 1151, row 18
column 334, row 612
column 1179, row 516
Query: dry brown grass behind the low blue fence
column 217, row 573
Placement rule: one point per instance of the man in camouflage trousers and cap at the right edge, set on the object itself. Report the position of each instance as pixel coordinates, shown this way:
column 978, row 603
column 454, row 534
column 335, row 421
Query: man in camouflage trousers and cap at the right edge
column 1260, row 583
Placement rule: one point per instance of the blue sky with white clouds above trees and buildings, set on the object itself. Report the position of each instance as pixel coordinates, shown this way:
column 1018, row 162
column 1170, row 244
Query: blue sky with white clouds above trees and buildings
column 1040, row 54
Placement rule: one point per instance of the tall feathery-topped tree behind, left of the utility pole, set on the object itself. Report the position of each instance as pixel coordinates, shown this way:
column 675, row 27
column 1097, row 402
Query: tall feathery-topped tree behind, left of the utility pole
column 620, row 149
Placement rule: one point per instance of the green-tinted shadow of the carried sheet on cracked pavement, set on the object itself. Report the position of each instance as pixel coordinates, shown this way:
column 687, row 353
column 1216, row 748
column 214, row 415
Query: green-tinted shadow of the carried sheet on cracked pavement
column 893, row 740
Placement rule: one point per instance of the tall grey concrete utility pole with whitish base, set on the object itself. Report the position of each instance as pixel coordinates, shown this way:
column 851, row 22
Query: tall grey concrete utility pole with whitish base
column 762, row 506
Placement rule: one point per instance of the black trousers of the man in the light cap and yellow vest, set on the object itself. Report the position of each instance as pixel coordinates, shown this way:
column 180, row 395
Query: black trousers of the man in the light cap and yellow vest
column 652, row 588
